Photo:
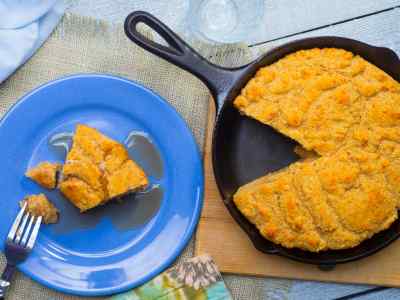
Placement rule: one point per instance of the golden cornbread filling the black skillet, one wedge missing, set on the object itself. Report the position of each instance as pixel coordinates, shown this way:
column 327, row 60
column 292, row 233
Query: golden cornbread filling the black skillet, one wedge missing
column 345, row 110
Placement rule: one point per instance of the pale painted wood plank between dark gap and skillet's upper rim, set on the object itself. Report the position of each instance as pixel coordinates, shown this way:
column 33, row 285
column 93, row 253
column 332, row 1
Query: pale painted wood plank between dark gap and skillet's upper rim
column 381, row 30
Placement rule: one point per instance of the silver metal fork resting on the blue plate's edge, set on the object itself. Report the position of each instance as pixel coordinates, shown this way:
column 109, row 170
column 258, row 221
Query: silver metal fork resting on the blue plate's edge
column 19, row 243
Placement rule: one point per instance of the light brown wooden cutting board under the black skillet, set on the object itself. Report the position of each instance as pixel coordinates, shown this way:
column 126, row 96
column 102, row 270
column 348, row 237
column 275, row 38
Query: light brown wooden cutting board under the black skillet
column 219, row 236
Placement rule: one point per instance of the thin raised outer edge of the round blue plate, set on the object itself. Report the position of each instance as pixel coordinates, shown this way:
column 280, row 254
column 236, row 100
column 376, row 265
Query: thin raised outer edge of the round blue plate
column 191, row 227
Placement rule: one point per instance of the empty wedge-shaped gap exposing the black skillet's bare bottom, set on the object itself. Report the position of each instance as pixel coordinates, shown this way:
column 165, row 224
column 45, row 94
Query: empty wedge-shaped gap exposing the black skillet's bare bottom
column 247, row 149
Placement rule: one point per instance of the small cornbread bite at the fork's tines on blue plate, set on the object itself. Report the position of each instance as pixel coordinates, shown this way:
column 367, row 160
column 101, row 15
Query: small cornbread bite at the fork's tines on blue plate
column 39, row 205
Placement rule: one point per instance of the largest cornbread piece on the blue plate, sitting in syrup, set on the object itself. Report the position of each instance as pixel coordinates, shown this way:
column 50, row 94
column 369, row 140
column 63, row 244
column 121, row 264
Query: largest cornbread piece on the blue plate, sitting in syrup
column 98, row 169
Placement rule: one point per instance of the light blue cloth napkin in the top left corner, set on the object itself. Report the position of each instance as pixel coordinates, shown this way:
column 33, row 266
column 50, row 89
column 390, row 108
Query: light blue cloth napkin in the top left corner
column 24, row 26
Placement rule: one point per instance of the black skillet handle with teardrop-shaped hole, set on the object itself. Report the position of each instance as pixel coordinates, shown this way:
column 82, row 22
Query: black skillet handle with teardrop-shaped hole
column 219, row 80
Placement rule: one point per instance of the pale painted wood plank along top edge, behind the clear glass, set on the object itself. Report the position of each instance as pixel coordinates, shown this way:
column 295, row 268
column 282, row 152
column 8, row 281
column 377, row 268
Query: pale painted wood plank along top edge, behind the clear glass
column 281, row 17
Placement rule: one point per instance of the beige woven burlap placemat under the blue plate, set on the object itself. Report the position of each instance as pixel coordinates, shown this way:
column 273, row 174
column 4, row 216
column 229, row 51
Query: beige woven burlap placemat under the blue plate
column 84, row 45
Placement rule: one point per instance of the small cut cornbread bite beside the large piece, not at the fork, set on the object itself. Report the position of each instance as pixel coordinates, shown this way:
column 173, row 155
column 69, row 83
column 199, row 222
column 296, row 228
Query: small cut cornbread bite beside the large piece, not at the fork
column 45, row 174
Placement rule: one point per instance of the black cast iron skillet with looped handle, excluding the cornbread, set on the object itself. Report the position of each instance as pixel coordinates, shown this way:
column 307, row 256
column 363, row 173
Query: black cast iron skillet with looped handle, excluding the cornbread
column 244, row 149
